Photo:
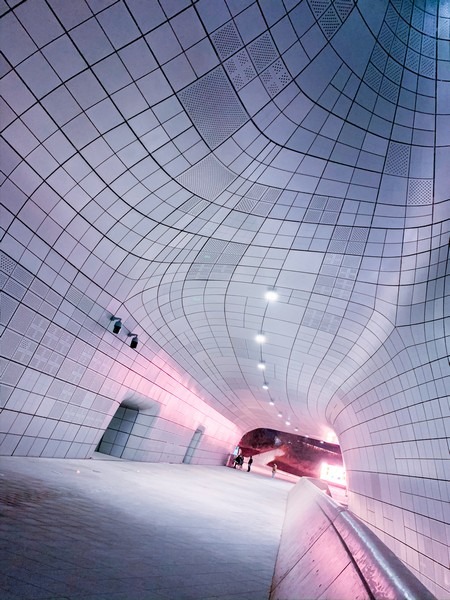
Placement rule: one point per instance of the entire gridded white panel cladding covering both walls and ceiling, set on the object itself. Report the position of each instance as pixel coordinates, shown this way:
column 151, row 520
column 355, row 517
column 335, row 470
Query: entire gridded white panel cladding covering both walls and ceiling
column 169, row 164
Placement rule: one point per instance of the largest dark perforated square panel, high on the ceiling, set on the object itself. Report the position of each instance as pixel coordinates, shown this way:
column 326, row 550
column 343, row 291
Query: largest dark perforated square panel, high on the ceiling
column 214, row 107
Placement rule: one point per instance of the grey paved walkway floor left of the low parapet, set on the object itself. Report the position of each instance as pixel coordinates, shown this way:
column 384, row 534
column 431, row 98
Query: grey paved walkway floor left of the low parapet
column 114, row 529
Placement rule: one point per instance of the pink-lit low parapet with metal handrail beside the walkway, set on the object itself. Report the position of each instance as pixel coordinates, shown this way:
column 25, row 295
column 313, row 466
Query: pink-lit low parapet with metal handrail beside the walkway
column 328, row 553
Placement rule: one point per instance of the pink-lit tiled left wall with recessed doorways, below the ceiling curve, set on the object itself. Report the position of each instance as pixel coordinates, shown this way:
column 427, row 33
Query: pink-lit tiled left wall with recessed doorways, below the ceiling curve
column 65, row 375
